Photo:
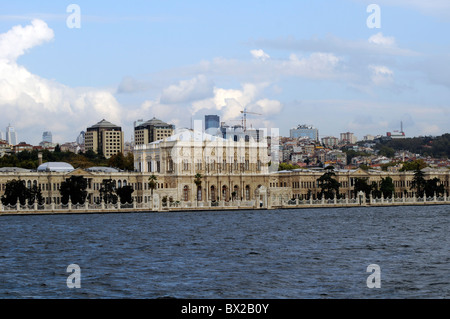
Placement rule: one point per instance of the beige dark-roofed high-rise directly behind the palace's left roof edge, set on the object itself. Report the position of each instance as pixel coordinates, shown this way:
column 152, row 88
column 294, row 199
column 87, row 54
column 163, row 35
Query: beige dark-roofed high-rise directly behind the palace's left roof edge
column 151, row 131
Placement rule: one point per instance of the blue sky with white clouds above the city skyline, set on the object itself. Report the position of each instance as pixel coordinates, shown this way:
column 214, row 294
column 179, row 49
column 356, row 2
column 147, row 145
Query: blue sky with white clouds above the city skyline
column 341, row 66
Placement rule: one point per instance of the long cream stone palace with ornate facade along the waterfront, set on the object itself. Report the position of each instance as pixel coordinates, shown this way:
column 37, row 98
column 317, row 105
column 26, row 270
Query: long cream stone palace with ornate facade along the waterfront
column 195, row 167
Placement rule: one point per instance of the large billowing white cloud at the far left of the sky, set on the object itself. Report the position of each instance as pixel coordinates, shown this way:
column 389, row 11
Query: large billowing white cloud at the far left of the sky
column 33, row 104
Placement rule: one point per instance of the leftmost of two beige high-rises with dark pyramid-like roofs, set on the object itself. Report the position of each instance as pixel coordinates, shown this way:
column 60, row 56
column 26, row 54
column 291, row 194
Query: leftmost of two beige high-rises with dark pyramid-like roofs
column 104, row 137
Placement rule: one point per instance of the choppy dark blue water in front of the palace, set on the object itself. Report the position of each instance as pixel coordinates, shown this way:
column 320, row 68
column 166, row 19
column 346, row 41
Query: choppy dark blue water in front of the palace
column 308, row 253
